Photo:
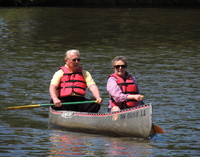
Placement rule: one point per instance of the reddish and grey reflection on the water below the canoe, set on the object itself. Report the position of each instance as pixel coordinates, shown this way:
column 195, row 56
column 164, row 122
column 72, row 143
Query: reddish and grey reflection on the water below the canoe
column 70, row 144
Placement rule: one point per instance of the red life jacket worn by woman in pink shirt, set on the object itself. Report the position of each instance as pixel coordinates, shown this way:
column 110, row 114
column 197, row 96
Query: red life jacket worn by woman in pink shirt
column 127, row 86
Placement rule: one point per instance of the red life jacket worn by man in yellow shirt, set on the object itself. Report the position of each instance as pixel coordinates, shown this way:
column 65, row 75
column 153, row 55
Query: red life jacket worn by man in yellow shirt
column 72, row 82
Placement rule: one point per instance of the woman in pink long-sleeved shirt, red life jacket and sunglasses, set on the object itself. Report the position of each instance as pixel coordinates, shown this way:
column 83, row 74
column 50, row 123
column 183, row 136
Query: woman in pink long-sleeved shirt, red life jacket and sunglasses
column 122, row 87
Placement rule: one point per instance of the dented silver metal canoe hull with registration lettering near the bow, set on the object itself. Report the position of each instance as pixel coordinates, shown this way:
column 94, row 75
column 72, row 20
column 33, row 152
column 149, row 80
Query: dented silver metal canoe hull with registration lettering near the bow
column 133, row 122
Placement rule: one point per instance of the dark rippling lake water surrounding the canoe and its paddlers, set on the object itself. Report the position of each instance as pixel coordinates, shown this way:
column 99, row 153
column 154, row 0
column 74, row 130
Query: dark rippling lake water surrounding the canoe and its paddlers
column 163, row 49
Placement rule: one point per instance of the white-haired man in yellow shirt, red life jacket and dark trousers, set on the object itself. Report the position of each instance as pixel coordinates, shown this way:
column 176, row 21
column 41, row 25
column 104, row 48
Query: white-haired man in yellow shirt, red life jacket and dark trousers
column 69, row 84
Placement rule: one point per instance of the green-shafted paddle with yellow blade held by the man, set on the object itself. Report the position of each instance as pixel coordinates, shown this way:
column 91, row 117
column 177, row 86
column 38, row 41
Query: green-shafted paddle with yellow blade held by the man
column 41, row 105
